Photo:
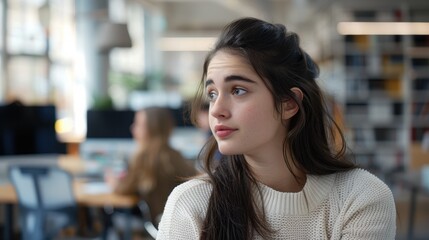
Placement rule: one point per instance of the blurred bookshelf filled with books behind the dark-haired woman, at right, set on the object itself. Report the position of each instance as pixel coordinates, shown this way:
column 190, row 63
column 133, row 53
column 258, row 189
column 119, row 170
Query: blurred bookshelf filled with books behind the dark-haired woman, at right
column 386, row 90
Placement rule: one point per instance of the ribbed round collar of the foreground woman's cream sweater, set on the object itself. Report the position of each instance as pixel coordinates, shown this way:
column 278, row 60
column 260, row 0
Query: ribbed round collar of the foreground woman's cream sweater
column 314, row 192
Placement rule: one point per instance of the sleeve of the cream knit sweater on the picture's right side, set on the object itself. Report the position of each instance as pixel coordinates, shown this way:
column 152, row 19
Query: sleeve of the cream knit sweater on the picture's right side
column 370, row 211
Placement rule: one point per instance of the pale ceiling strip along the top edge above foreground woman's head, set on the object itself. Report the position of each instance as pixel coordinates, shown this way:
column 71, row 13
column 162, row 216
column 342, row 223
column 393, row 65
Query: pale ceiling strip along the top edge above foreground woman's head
column 212, row 15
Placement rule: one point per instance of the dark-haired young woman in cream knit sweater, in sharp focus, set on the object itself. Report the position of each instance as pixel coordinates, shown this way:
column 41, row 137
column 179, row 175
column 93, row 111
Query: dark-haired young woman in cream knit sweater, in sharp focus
column 282, row 176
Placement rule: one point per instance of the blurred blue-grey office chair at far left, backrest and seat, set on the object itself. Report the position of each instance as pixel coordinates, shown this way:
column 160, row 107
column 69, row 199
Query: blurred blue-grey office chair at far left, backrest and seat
column 46, row 200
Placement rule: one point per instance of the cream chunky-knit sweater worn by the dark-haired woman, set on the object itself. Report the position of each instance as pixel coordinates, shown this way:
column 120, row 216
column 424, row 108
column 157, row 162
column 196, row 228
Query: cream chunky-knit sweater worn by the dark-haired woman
column 348, row 205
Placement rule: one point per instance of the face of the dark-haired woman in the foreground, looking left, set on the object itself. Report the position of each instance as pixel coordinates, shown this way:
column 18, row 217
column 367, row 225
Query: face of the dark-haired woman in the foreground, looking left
column 242, row 116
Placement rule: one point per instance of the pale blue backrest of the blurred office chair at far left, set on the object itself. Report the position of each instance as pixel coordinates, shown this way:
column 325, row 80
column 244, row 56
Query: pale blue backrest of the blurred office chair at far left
column 42, row 187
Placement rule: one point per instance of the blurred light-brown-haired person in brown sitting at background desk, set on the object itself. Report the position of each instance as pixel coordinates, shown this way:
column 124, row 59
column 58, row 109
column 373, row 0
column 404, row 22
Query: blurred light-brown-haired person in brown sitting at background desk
column 156, row 167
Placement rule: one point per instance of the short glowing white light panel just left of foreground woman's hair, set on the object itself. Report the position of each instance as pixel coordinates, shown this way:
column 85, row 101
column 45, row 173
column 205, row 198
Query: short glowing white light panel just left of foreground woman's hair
column 187, row 43
